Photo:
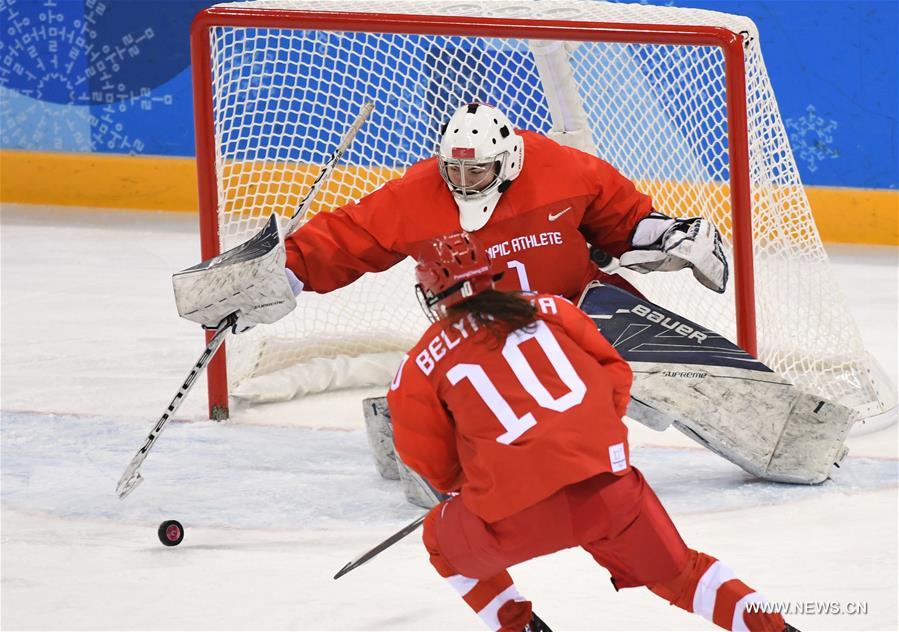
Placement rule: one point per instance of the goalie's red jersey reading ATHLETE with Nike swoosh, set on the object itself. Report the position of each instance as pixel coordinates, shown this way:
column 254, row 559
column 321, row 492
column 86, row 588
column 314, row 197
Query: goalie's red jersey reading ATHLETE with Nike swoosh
column 562, row 200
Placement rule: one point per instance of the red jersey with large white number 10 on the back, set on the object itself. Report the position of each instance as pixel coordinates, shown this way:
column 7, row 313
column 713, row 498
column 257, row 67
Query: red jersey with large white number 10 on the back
column 510, row 424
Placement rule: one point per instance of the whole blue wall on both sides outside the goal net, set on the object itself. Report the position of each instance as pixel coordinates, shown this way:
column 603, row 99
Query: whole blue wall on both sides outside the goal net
column 111, row 76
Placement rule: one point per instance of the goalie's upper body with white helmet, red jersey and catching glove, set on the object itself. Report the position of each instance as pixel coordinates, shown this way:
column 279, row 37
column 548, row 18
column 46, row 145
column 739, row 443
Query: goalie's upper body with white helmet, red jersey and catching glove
column 536, row 205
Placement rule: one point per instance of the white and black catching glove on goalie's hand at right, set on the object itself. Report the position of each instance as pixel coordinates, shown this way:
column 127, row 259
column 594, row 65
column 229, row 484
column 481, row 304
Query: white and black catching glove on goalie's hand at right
column 662, row 243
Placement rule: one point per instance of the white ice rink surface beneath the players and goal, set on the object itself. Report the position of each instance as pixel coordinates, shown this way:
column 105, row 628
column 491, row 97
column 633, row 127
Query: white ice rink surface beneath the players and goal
column 278, row 500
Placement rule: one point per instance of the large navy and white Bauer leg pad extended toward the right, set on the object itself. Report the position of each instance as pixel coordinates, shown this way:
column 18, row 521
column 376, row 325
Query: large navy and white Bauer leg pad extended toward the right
column 716, row 393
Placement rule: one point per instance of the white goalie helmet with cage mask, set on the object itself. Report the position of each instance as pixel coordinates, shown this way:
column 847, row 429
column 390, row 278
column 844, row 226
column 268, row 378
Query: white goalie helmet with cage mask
column 480, row 155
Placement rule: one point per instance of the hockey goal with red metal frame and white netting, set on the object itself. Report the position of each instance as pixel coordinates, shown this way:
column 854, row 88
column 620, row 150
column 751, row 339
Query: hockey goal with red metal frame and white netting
column 677, row 99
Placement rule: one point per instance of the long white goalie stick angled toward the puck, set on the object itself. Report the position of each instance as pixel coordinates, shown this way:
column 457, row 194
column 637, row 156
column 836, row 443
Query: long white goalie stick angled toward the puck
column 131, row 478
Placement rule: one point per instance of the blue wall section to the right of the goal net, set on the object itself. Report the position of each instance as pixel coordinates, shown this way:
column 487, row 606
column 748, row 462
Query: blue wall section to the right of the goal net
column 833, row 68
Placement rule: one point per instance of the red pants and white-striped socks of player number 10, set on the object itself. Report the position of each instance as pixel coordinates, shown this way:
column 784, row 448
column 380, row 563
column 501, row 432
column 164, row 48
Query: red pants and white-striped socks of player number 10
column 618, row 520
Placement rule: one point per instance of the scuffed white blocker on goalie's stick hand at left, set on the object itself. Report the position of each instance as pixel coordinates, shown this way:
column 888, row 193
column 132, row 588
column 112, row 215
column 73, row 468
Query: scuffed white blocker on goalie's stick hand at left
column 249, row 280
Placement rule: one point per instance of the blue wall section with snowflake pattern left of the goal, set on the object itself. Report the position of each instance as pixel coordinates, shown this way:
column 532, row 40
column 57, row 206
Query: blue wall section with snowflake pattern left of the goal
column 97, row 75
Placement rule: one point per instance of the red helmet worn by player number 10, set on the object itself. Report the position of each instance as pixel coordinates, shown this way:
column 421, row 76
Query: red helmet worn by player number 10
column 450, row 269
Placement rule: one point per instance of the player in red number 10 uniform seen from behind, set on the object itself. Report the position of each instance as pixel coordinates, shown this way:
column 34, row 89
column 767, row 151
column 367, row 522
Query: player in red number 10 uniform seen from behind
column 515, row 402
